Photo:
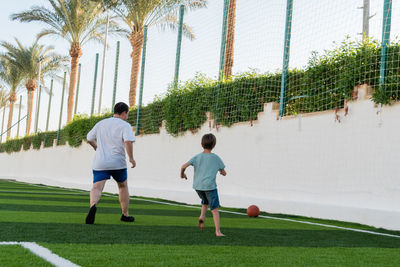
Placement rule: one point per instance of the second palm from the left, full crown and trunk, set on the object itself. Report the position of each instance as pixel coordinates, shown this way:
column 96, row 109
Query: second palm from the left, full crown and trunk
column 27, row 60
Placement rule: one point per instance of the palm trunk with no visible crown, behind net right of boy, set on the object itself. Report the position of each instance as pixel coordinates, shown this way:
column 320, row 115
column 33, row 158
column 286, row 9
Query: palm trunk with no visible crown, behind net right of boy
column 230, row 39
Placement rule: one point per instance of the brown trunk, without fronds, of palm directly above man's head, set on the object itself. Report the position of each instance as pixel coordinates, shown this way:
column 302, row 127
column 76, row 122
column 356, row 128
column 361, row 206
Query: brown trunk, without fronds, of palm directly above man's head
column 136, row 40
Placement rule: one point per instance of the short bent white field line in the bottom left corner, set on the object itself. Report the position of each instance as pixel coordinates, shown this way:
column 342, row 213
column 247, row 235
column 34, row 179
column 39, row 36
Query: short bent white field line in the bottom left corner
column 43, row 253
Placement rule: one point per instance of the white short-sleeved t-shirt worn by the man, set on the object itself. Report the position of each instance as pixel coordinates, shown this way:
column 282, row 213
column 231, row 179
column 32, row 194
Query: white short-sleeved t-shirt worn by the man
column 110, row 135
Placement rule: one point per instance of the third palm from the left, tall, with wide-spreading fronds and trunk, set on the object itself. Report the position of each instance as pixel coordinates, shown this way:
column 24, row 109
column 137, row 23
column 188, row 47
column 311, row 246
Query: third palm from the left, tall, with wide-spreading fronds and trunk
column 77, row 21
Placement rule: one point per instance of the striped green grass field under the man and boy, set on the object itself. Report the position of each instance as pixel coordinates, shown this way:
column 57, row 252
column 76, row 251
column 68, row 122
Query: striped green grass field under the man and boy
column 167, row 235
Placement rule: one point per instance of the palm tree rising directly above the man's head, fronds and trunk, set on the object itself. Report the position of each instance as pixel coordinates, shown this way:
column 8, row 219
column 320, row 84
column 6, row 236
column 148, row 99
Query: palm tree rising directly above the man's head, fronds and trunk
column 138, row 13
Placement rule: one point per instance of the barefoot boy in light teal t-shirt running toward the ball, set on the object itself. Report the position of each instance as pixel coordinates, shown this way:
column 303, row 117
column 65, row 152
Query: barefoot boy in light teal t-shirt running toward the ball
column 206, row 166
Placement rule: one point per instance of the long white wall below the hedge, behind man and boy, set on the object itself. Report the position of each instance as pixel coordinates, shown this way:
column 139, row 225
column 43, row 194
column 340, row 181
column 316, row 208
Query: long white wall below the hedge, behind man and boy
column 311, row 166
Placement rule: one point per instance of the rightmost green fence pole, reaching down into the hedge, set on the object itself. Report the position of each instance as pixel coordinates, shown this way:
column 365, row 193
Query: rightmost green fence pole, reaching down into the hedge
column 387, row 19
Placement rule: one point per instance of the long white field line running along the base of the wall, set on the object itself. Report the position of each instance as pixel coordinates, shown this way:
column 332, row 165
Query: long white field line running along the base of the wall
column 226, row 211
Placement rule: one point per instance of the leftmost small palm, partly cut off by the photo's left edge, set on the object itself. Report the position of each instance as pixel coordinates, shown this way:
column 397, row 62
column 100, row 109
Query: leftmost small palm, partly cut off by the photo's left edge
column 12, row 76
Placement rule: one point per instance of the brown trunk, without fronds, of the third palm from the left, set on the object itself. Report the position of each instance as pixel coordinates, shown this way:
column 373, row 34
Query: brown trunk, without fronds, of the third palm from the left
column 75, row 52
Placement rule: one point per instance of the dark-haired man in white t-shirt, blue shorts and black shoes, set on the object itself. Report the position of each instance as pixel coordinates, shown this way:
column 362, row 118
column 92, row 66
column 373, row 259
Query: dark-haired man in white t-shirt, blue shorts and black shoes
column 109, row 138
